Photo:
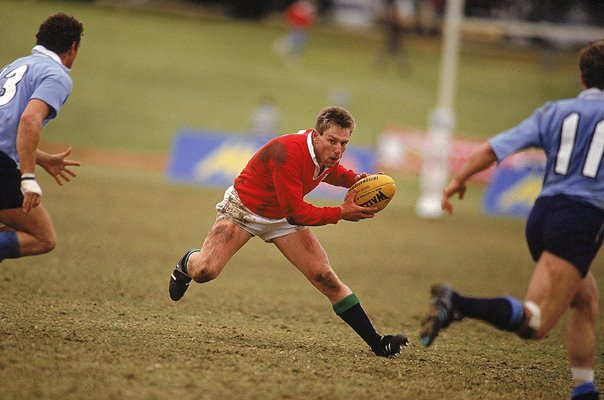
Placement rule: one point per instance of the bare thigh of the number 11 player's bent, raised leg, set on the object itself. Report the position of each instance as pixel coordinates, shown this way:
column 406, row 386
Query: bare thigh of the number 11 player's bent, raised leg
column 552, row 287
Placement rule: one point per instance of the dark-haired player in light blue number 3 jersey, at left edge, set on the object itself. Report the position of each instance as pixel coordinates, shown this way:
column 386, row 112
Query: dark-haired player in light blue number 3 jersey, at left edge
column 32, row 91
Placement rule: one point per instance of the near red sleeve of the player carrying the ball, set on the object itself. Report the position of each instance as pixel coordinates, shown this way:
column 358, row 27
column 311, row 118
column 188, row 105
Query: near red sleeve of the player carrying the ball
column 287, row 179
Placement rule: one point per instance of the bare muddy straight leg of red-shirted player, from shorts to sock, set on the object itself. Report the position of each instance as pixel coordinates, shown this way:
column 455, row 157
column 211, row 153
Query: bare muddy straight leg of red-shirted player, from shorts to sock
column 305, row 252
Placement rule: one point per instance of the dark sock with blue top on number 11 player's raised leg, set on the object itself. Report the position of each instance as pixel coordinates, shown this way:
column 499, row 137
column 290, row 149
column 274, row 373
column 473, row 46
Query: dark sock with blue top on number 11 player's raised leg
column 505, row 313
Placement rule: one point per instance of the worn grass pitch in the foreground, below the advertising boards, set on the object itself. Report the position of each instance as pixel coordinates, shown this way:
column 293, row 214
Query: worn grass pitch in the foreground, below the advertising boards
column 94, row 316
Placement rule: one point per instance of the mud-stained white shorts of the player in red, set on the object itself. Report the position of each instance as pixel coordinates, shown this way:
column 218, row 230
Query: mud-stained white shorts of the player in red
column 231, row 208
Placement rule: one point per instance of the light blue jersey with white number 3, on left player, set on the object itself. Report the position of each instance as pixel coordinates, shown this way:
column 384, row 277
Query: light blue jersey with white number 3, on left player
column 38, row 76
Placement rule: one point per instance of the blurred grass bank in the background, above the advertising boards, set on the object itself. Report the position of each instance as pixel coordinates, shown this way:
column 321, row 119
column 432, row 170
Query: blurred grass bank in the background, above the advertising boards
column 140, row 76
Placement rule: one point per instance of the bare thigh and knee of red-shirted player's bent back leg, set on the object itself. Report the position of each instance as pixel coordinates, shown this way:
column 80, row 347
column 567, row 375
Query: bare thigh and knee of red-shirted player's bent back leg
column 224, row 239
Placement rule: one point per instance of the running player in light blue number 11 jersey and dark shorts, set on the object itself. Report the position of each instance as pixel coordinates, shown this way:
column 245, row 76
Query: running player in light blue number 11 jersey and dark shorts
column 564, row 230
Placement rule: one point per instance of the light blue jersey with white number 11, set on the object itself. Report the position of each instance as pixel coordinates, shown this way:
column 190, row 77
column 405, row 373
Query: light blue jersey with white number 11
column 571, row 132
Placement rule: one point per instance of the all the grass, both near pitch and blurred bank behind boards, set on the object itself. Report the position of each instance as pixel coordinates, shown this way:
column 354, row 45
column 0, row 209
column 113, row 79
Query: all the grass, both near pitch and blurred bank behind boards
column 93, row 318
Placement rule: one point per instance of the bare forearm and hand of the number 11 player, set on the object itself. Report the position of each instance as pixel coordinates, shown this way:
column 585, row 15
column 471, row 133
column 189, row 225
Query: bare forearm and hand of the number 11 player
column 480, row 160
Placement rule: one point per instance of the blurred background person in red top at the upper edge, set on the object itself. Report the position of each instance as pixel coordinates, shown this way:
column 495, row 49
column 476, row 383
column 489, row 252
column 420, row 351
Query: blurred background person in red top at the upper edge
column 299, row 16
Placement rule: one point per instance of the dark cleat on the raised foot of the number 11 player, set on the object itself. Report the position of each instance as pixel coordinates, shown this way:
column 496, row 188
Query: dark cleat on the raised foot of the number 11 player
column 440, row 315
